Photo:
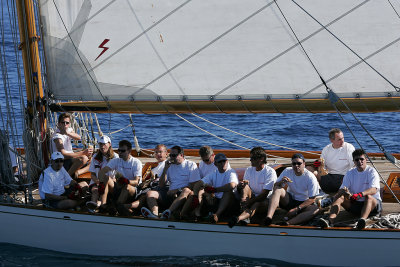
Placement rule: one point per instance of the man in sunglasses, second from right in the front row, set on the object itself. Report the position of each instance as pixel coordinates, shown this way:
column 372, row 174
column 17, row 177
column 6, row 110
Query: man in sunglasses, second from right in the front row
column 299, row 198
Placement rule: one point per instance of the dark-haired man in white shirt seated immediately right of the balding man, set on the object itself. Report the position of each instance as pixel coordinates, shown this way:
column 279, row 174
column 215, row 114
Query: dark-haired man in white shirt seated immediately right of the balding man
column 182, row 174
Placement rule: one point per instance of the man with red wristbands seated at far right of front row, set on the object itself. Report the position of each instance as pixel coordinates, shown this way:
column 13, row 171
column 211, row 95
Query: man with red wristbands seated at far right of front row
column 362, row 182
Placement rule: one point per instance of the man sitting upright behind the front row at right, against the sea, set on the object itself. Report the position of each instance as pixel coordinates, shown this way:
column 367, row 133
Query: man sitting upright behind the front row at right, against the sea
column 337, row 159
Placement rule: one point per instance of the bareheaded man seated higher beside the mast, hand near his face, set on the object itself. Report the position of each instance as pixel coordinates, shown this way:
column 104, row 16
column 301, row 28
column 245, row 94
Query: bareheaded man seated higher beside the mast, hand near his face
column 62, row 139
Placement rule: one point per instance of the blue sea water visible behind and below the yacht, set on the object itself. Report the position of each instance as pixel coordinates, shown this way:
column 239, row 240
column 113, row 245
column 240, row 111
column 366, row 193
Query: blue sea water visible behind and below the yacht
column 296, row 131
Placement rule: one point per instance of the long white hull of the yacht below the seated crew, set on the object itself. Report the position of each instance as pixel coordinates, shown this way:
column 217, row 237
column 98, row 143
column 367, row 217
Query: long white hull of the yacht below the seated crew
column 117, row 236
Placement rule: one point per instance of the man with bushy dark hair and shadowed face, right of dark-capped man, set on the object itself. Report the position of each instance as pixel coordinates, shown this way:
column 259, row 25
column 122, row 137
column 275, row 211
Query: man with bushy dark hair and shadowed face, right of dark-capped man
column 258, row 182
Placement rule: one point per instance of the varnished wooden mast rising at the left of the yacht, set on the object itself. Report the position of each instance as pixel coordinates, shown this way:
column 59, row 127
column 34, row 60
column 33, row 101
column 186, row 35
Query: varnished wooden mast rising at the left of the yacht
column 35, row 113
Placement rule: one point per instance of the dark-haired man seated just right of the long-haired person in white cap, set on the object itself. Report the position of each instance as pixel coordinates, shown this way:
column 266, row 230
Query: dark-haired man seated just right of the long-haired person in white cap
column 128, row 175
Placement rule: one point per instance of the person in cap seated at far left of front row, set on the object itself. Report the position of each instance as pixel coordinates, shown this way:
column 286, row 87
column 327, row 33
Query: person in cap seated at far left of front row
column 56, row 187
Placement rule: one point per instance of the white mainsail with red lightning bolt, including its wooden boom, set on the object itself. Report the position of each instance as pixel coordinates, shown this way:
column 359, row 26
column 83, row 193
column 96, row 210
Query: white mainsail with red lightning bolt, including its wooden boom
column 225, row 55
